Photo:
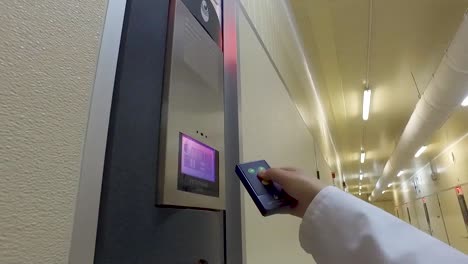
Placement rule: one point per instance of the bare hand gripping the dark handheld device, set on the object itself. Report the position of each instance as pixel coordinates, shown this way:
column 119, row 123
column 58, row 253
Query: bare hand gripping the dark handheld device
column 298, row 185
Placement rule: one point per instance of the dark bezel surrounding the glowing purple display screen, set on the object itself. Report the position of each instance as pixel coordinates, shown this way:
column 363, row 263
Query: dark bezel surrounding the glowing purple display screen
column 192, row 184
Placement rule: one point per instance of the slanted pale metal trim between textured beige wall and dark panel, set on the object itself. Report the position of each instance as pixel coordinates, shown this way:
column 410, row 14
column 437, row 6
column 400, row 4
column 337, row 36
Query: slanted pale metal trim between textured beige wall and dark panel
column 92, row 164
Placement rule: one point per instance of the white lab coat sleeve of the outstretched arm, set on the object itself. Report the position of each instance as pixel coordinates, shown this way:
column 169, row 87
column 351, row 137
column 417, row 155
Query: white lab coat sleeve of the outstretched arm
column 340, row 228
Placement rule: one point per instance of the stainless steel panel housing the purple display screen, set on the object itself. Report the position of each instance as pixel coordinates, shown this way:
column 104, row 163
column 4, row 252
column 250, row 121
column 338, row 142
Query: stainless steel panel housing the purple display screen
column 193, row 109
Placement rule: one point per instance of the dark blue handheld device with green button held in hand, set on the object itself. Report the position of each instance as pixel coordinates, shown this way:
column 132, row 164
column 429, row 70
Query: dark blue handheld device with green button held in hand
column 269, row 197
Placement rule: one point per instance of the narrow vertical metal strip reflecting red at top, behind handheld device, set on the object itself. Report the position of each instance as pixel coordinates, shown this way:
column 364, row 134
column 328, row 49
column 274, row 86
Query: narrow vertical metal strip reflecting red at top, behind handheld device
column 232, row 219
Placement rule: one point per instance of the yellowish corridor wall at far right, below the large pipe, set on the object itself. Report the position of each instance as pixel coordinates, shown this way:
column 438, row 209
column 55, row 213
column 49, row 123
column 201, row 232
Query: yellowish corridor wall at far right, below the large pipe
column 436, row 181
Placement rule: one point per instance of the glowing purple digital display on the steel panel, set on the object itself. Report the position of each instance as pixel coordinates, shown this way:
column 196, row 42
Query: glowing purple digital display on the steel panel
column 197, row 159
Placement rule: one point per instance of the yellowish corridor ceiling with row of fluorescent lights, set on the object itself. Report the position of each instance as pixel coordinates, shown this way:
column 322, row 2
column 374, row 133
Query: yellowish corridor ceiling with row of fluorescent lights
column 407, row 38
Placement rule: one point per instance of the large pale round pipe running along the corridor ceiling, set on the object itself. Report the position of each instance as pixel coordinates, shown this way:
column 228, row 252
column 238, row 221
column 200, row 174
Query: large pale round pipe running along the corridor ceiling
column 445, row 92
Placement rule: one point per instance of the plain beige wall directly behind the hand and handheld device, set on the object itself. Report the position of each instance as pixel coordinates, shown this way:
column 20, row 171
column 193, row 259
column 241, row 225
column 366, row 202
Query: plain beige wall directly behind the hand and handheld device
column 271, row 129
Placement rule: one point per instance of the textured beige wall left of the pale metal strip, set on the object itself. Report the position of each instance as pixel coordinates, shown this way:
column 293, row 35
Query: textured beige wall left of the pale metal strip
column 48, row 52
